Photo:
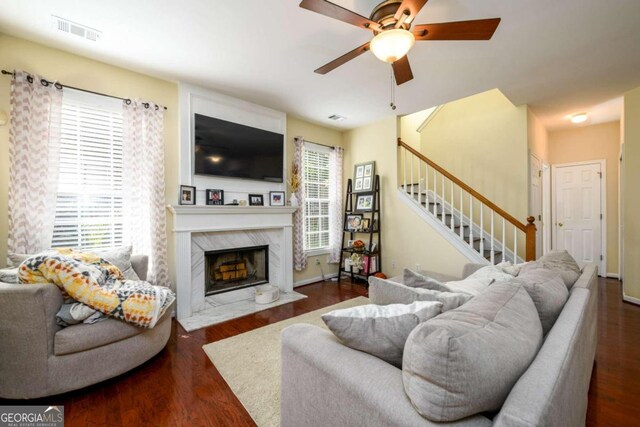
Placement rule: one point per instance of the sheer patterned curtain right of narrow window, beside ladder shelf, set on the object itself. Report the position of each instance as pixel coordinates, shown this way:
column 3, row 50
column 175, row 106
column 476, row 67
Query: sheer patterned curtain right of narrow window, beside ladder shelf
column 335, row 204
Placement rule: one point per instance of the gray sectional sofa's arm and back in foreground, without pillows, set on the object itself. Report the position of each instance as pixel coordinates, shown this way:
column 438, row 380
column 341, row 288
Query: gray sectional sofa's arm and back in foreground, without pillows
column 326, row 383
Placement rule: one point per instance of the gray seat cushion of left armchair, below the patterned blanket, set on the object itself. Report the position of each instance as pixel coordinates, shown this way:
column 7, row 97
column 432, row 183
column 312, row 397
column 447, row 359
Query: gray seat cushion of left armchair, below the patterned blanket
column 82, row 337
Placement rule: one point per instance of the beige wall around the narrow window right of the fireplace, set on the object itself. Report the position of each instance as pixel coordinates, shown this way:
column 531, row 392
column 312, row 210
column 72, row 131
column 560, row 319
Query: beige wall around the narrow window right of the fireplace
column 321, row 135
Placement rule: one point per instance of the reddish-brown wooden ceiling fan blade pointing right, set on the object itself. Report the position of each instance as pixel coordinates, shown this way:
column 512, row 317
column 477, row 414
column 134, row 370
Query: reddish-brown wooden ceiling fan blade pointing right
column 480, row 29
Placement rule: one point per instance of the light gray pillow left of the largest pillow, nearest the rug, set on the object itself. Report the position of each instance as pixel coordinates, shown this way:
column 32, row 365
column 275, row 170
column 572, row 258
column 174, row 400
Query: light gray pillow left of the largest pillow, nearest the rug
column 380, row 330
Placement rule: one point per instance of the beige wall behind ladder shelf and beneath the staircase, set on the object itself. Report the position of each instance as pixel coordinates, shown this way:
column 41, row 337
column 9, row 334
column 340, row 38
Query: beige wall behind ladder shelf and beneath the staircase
column 406, row 239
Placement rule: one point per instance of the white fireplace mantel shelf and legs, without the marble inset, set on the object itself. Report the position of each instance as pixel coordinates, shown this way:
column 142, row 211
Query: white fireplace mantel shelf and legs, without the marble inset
column 220, row 219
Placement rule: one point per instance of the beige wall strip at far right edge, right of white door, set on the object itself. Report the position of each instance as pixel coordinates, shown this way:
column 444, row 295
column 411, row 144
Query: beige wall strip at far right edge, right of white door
column 631, row 195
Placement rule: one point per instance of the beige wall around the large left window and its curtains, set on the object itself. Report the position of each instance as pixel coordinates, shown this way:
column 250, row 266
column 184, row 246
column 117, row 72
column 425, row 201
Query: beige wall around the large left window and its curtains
column 88, row 74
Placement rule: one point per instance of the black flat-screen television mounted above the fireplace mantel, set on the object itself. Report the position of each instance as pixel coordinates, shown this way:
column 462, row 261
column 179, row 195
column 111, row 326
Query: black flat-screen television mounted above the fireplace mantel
column 236, row 151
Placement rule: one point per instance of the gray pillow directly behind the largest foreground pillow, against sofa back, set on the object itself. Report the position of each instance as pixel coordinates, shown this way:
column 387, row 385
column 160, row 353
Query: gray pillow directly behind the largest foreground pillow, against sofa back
column 548, row 292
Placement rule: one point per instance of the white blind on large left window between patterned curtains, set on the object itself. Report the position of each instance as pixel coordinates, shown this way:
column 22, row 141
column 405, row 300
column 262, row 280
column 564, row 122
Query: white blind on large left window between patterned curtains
column 89, row 208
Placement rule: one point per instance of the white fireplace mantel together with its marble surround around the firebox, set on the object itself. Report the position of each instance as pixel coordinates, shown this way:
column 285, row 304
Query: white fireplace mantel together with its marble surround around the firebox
column 198, row 229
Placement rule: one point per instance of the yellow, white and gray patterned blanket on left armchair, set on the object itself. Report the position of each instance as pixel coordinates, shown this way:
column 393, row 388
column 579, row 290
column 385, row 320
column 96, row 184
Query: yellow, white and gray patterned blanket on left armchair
column 100, row 285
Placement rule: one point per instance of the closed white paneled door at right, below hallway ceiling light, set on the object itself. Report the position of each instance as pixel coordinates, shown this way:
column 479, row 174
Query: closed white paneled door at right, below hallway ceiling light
column 578, row 211
